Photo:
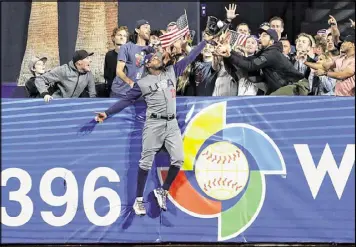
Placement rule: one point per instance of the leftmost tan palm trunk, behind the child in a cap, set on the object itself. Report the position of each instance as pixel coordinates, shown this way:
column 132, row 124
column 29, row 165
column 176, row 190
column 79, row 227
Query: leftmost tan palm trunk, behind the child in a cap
column 42, row 39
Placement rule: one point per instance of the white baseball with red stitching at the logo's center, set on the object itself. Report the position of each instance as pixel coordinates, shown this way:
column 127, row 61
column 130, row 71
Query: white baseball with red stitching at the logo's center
column 222, row 170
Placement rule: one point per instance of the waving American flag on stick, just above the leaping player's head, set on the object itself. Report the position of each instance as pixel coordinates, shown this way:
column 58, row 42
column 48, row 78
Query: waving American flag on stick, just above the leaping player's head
column 179, row 31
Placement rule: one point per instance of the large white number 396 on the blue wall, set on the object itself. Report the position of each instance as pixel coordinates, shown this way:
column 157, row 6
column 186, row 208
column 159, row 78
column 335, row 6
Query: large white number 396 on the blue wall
column 70, row 197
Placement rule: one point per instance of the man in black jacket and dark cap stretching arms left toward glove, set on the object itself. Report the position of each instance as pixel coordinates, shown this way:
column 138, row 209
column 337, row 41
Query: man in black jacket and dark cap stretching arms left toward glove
column 276, row 68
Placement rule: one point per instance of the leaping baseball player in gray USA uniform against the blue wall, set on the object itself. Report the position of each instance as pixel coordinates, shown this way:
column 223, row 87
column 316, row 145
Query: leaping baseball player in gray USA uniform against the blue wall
column 158, row 88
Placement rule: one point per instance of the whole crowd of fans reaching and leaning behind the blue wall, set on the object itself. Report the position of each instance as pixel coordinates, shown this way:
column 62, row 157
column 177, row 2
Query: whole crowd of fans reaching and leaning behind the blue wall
column 265, row 64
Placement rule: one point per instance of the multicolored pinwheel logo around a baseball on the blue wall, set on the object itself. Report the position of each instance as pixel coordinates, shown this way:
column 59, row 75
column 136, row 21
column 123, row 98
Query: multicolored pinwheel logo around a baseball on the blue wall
column 229, row 163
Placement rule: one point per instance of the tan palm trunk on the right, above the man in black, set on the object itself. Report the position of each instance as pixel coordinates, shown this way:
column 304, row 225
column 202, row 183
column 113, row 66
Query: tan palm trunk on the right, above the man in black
column 94, row 20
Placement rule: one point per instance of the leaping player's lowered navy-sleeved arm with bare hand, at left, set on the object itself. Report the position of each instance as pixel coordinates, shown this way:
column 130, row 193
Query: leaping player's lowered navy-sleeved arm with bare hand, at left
column 131, row 96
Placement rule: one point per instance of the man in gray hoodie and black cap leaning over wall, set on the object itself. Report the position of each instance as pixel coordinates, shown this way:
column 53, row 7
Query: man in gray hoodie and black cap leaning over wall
column 71, row 79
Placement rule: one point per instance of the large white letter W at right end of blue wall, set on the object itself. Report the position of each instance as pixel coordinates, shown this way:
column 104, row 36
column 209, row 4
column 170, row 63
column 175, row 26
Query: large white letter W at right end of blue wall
column 327, row 163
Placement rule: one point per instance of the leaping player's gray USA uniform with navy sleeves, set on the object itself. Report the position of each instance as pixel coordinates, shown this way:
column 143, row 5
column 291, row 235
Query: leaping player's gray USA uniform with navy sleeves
column 161, row 126
